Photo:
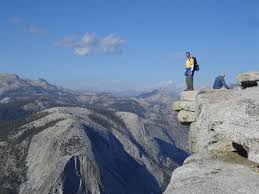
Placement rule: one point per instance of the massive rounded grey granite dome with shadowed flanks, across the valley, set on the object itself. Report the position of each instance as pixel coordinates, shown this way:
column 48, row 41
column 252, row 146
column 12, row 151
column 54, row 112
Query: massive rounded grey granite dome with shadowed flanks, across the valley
column 77, row 150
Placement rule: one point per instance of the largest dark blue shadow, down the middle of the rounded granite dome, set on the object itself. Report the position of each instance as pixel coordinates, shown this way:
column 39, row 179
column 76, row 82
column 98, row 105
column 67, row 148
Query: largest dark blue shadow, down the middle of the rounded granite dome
column 120, row 173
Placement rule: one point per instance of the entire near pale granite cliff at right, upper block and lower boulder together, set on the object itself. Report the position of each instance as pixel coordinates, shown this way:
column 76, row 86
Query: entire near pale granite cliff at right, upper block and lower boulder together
column 224, row 141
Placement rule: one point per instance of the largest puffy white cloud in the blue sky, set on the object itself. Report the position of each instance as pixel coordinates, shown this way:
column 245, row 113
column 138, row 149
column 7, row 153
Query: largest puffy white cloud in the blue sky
column 90, row 43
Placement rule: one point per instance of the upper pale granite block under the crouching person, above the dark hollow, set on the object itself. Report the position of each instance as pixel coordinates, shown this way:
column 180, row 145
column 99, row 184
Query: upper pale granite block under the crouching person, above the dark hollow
column 229, row 115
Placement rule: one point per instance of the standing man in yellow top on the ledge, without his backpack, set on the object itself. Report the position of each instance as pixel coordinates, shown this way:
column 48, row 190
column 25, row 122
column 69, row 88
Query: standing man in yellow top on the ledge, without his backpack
column 189, row 72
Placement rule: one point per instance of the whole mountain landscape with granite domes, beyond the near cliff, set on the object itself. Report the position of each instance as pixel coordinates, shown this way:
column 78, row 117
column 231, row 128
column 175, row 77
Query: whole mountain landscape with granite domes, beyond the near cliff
column 55, row 140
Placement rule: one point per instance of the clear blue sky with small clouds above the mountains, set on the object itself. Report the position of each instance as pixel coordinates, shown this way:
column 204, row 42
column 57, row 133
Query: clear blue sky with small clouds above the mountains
column 127, row 44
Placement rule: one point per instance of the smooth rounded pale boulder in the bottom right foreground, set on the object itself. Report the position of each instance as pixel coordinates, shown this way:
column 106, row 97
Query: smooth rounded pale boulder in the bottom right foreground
column 215, row 173
